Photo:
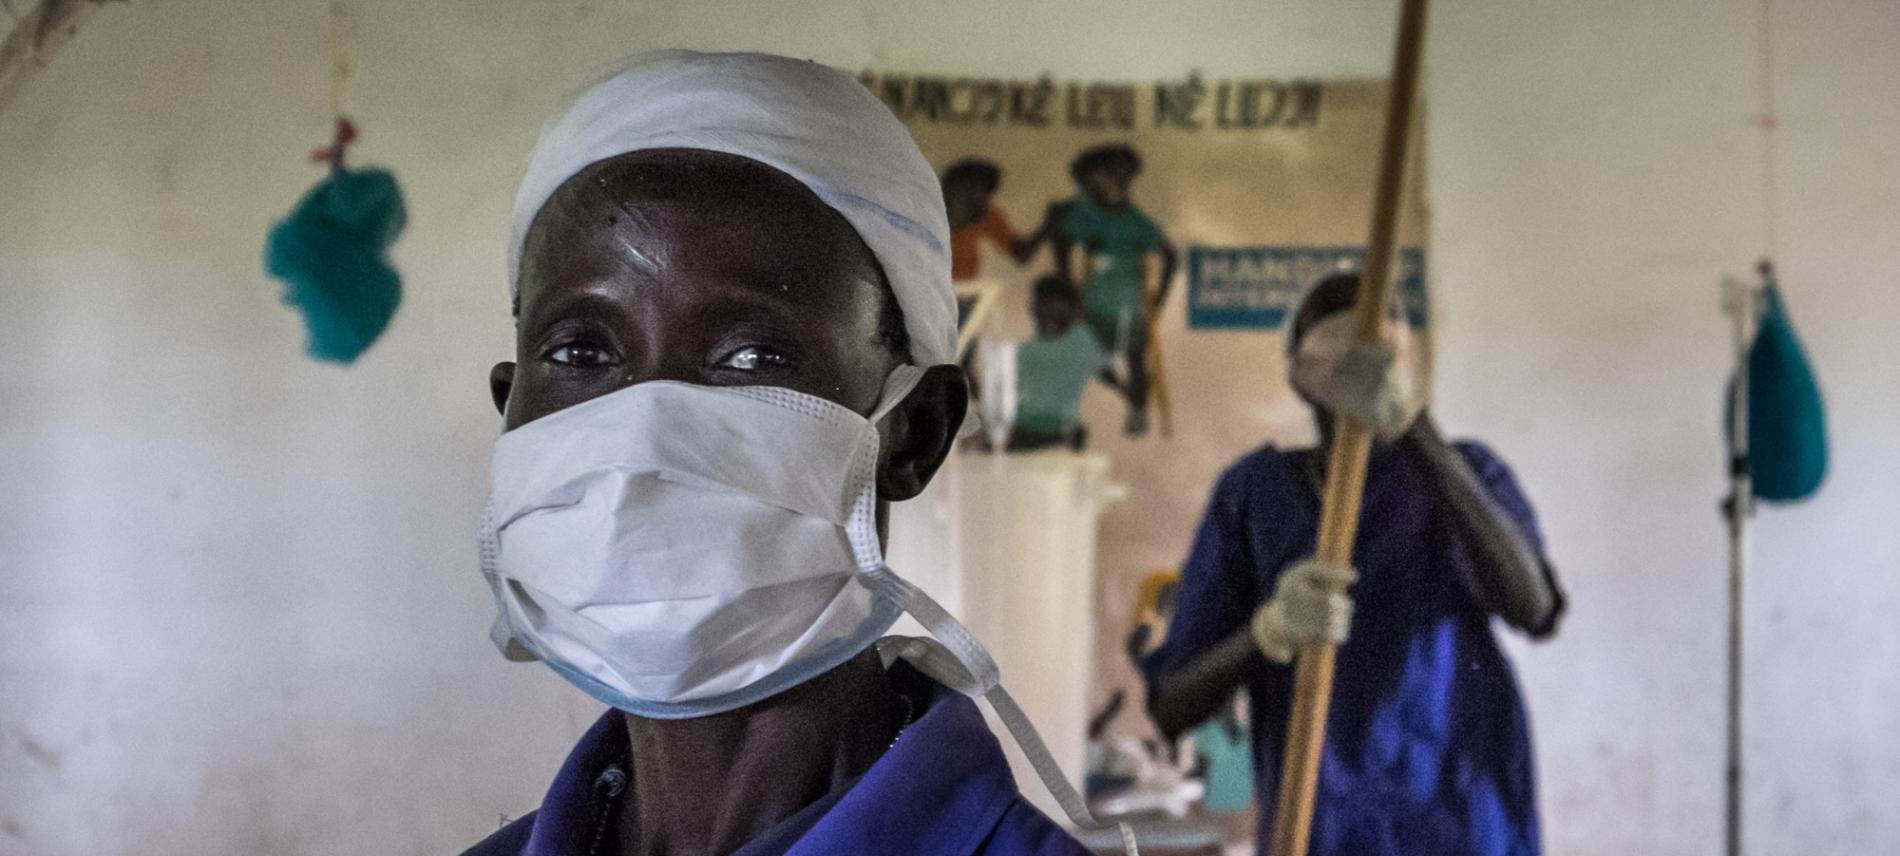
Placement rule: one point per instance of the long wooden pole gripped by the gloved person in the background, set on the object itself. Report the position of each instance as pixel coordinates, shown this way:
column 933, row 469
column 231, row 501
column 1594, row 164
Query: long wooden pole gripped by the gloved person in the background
column 1346, row 468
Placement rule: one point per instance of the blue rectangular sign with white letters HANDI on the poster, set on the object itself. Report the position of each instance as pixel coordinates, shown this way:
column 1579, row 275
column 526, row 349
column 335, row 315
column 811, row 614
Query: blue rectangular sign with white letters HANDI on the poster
column 1259, row 288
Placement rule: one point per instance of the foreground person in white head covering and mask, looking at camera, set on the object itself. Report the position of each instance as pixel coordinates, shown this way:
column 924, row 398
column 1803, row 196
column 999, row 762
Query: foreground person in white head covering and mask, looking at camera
column 736, row 346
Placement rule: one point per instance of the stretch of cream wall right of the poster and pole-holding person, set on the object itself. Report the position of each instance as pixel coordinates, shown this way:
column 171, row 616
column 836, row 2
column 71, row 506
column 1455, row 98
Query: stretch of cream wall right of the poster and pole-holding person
column 1593, row 172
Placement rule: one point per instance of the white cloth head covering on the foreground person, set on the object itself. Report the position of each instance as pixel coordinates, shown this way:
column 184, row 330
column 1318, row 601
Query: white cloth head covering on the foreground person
column 803, row 119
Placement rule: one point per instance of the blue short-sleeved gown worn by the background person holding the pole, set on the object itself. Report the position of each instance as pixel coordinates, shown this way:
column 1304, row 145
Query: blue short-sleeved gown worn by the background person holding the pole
column 1428, row 749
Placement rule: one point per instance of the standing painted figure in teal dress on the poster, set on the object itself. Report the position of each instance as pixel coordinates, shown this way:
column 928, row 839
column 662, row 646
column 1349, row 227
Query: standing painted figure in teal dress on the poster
column 1116, row 240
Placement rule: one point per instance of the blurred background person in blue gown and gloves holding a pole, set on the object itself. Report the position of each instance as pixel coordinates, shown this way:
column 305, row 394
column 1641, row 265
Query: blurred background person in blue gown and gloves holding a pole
column 1428, row 749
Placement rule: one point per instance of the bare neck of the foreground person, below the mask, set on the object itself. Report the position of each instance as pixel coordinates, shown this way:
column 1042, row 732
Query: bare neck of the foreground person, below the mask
column 712, row 785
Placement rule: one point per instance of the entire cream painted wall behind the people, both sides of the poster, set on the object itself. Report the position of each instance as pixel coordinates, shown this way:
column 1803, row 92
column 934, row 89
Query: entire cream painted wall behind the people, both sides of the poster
column 238, row 606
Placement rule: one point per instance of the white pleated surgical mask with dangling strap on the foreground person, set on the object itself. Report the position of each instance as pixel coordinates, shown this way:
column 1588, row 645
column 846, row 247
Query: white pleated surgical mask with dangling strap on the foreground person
column 681, row 551
